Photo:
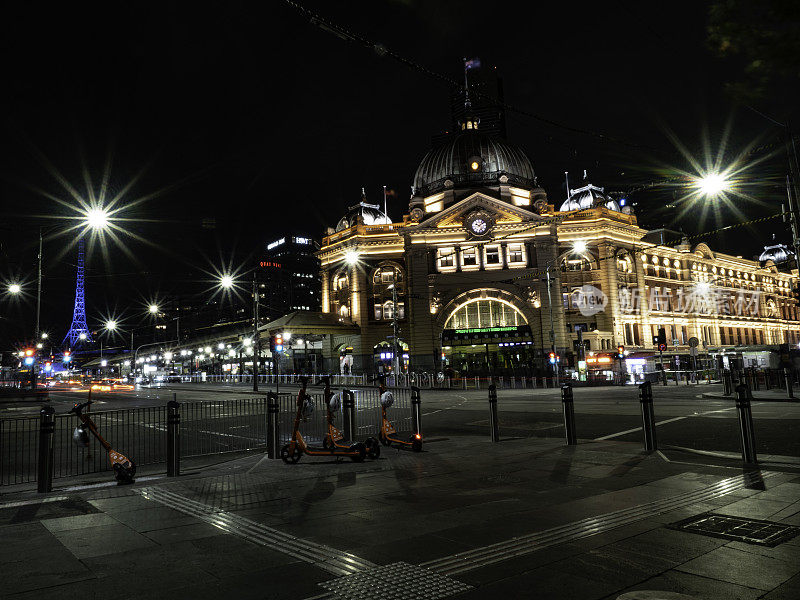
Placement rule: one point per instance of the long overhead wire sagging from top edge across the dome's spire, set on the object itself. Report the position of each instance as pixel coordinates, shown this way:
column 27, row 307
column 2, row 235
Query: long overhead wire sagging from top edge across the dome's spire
column 345, row 34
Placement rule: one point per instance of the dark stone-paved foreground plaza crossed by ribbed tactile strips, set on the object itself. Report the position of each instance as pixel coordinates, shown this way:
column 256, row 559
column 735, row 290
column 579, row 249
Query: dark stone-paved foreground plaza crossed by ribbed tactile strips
column 463, row 519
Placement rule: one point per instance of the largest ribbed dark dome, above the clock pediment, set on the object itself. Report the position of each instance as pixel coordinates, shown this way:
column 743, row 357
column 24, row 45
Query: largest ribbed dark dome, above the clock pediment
column 473, row 158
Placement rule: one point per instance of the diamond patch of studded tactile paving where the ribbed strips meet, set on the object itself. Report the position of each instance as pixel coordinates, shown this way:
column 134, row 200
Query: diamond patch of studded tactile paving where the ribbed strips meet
column 396, row 581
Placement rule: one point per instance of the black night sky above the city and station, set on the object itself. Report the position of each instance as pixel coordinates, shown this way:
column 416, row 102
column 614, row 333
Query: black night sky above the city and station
column 250, row 118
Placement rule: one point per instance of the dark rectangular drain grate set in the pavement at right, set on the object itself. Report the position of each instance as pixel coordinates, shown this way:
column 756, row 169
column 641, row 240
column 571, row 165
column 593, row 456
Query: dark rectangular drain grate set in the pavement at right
column 749, row 531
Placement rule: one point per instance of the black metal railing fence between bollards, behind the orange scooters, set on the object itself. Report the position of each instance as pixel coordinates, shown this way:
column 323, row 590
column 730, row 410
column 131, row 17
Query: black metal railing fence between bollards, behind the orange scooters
column 206, row 428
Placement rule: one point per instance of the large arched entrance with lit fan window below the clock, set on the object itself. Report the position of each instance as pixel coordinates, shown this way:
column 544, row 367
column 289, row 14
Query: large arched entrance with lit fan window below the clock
column 487, row 334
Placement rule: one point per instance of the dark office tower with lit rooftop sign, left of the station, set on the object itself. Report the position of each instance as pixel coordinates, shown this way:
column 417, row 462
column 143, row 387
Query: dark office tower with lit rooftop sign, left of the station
column 289, row 276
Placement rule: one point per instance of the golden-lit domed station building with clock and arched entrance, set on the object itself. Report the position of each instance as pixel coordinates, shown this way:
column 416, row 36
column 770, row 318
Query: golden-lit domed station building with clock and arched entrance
column 472, row 257
